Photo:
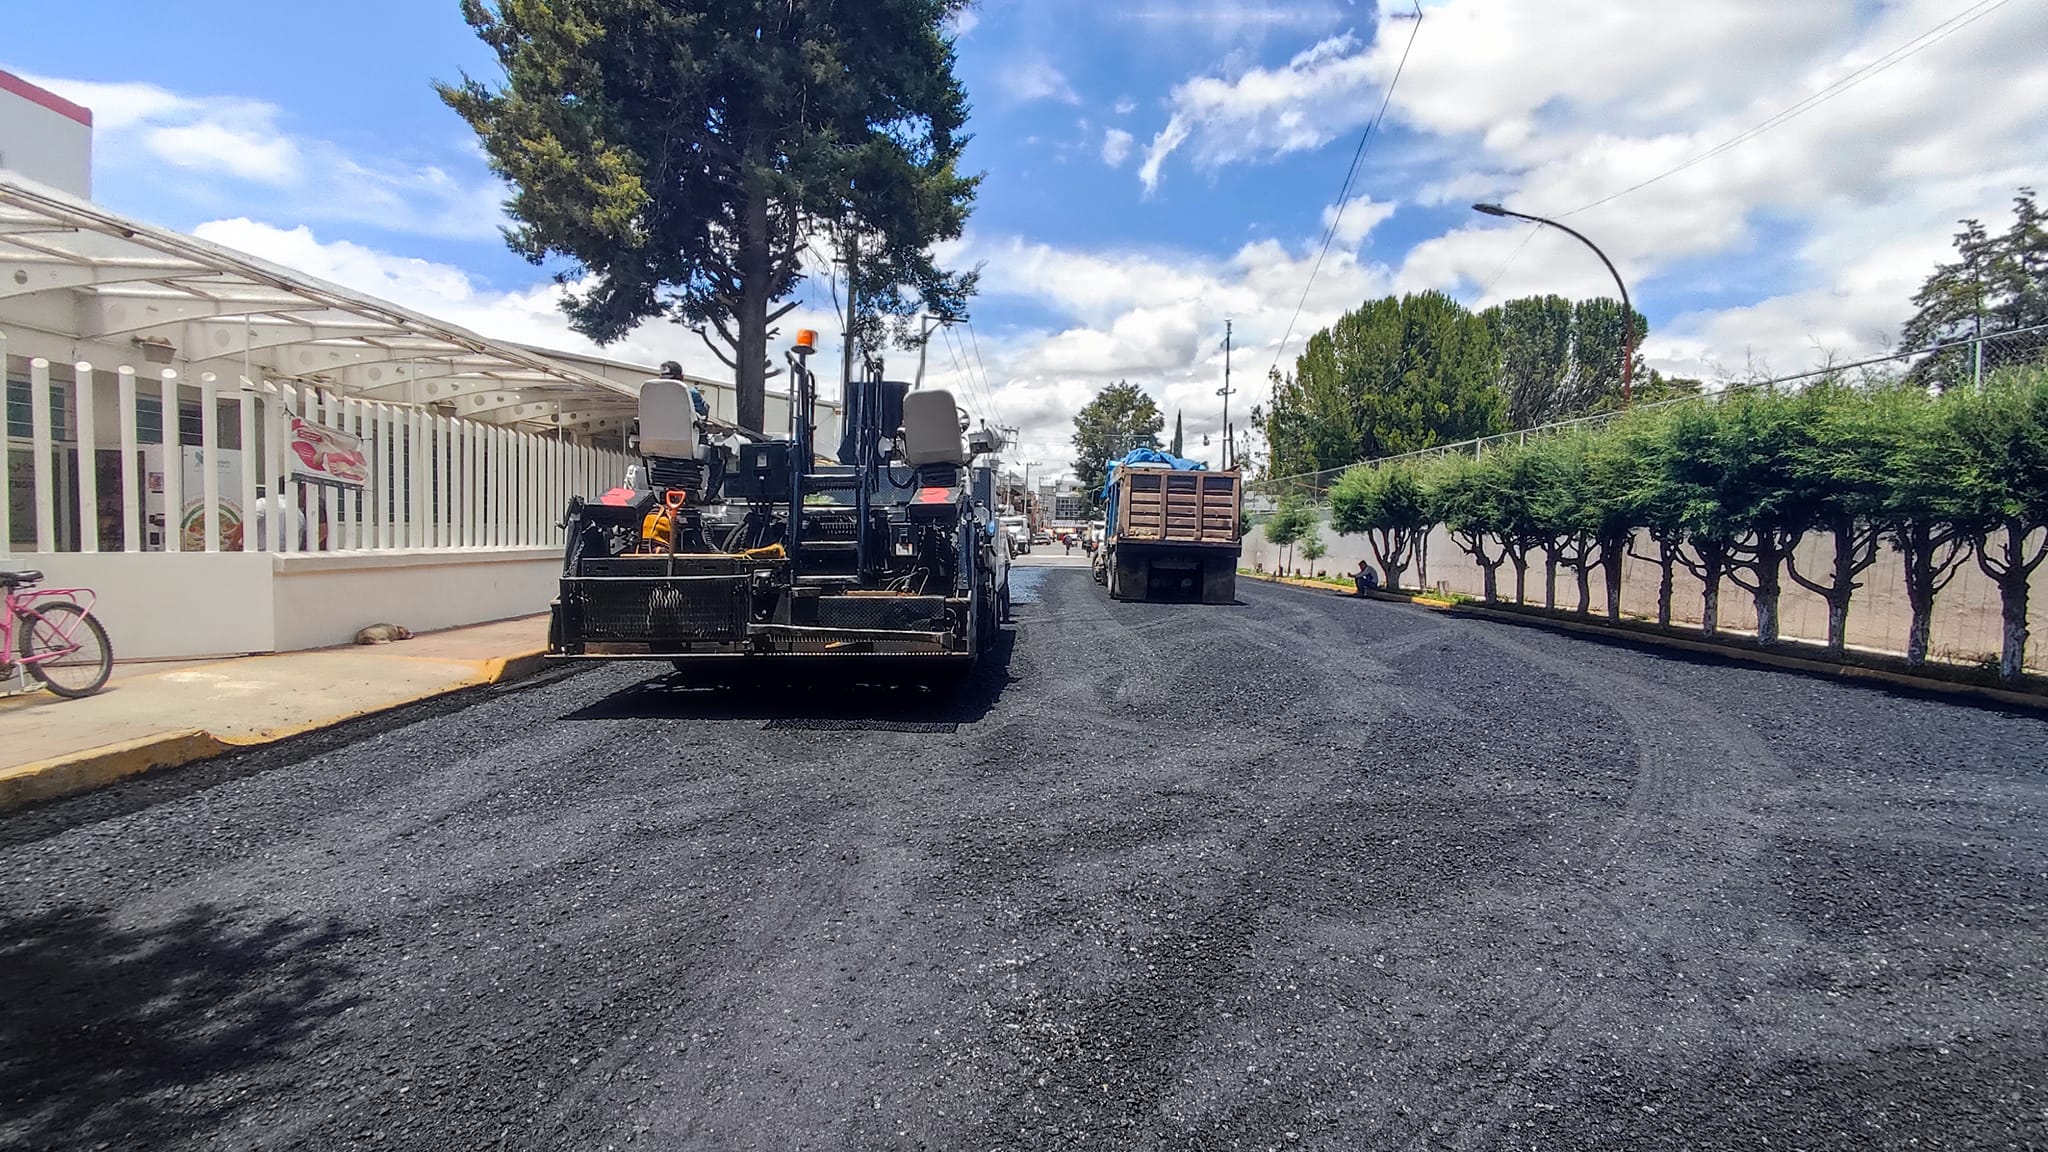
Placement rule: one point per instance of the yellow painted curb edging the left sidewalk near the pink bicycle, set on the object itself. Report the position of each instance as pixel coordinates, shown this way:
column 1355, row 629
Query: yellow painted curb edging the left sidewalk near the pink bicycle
column 97, row 768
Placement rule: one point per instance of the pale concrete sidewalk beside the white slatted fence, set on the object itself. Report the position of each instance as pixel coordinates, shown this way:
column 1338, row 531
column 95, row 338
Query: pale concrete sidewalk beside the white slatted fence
column 155, row 716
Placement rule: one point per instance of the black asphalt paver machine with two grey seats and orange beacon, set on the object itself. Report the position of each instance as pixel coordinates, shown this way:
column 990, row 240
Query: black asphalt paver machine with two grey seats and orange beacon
column 736, row 557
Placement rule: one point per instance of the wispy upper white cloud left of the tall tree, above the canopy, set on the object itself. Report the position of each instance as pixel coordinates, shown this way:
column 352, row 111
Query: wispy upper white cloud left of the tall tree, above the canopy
column 224, row 138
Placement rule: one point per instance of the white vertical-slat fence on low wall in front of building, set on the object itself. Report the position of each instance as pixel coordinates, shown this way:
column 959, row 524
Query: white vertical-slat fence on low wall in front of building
column 437, row 483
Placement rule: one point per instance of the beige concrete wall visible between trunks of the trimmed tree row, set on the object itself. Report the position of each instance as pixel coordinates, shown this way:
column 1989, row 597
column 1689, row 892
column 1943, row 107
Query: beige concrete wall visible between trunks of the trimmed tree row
column 1965, row 620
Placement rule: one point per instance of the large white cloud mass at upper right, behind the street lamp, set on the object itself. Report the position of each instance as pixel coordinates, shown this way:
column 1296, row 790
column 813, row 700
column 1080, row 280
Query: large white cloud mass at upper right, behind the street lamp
column 1859, row 196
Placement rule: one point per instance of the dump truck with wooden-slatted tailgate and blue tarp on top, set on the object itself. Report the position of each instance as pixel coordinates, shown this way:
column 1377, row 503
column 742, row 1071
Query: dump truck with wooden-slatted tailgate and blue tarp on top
column 1170, row 530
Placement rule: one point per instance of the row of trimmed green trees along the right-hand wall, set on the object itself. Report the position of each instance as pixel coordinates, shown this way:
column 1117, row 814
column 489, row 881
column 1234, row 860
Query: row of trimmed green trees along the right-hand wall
column 1732, row 489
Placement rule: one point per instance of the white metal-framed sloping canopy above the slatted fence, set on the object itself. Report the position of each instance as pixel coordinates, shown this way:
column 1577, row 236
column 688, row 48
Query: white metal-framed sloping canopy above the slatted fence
column 220, row 311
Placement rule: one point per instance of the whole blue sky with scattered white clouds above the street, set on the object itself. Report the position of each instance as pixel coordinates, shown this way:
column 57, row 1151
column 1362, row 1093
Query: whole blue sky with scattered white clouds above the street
column 1160, row 167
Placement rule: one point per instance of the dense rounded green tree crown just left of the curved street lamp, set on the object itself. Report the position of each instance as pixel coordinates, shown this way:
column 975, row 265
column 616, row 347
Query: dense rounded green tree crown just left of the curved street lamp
column 1390, row 378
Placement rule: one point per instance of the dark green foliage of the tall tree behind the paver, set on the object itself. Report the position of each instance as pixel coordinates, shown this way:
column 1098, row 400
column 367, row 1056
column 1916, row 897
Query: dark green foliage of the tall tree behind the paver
column 685, row 157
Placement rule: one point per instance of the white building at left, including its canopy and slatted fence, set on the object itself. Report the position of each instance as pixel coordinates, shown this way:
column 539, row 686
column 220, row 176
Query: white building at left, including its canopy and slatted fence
column 161, row 390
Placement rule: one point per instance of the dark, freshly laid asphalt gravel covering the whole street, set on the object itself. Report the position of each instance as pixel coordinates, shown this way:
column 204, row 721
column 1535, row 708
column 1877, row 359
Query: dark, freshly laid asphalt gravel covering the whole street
column 1291, row 874
